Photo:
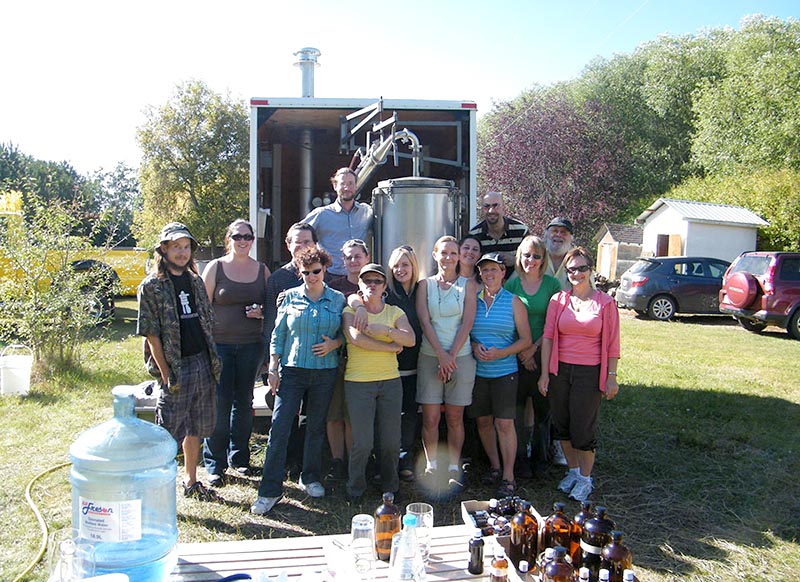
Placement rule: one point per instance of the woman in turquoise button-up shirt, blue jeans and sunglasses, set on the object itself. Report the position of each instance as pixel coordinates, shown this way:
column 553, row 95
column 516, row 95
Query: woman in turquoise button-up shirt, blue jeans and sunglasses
column 302, row 366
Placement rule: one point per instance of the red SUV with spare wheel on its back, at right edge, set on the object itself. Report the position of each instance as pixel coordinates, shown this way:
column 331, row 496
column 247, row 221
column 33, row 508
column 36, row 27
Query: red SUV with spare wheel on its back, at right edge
column 763, row 288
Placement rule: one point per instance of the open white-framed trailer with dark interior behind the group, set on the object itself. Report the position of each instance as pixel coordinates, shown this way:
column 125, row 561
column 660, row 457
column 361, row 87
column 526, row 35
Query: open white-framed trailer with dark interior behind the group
column 296, row 144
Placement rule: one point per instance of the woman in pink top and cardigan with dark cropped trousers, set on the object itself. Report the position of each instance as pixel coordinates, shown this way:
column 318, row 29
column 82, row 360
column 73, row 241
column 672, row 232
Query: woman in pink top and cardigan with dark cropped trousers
column 580, row 352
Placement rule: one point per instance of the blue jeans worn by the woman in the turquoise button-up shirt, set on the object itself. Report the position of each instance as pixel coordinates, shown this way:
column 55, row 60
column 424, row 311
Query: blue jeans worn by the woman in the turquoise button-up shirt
column 297, row 384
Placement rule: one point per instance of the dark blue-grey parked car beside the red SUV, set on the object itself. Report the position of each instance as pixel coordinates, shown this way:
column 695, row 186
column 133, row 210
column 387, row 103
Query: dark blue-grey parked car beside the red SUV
column 660, row 287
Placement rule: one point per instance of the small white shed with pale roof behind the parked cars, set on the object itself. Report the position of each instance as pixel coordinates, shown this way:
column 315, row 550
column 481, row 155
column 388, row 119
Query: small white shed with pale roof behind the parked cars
column 683, row 227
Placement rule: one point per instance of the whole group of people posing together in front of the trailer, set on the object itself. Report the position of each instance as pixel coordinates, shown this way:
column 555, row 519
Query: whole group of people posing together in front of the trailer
column 509, row 334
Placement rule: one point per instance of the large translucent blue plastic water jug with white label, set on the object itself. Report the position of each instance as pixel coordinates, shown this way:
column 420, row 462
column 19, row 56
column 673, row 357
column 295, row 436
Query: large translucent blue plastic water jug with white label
column 123, row 493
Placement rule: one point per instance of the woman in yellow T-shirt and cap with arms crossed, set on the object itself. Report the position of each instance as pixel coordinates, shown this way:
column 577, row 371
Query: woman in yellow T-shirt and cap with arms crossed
column 373, row 388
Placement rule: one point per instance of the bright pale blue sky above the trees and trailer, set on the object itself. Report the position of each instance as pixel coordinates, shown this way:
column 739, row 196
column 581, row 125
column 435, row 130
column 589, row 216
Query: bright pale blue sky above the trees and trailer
column 78, row 75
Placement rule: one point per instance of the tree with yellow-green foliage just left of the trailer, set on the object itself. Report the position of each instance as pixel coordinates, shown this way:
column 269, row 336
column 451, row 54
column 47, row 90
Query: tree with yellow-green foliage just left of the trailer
column 194, row 164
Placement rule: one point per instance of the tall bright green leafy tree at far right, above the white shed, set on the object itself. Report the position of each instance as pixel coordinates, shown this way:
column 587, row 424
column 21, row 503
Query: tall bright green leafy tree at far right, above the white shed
column 750, row 118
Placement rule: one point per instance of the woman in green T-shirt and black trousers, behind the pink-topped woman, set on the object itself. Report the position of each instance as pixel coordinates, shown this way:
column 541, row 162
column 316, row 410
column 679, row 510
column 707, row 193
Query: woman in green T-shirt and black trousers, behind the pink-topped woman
column 534, row 288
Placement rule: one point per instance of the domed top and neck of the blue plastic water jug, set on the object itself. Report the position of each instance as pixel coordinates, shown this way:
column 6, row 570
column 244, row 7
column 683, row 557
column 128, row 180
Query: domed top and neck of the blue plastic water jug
column 125, row 442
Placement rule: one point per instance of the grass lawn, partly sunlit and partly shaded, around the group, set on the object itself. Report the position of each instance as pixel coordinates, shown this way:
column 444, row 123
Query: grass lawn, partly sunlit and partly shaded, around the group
column 698, row 457
